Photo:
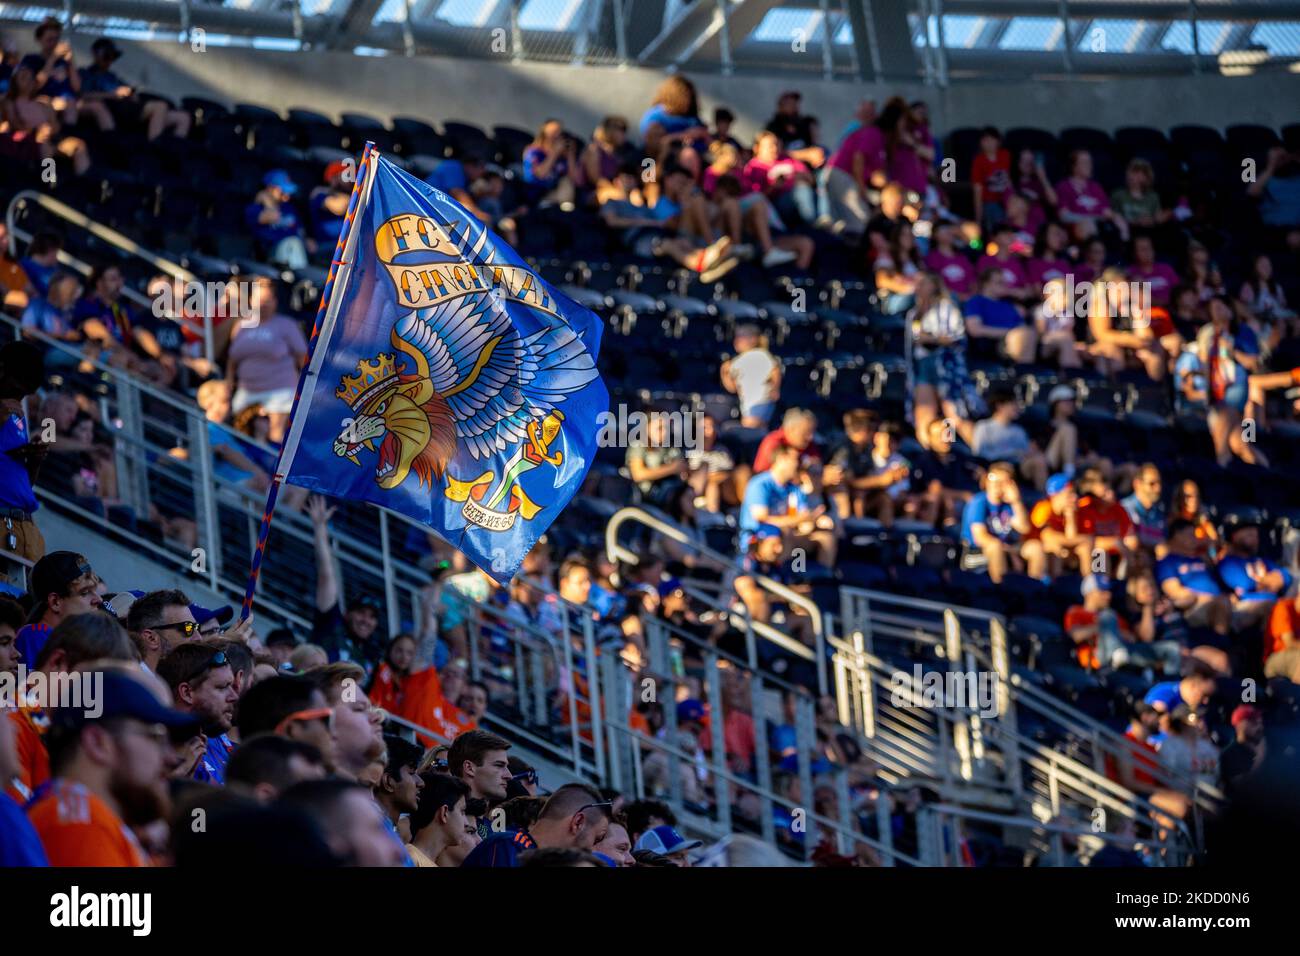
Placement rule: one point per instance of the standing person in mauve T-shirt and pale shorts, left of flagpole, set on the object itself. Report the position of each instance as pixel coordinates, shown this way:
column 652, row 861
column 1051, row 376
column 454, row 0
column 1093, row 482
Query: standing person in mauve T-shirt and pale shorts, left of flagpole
column 265, row 360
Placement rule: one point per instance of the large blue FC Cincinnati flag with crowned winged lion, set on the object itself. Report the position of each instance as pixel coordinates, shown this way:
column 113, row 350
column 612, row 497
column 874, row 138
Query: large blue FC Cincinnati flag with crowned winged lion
column 448, row 380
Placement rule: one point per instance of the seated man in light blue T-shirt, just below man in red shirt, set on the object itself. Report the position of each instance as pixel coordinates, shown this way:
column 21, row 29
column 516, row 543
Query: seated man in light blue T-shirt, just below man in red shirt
column 775, row 500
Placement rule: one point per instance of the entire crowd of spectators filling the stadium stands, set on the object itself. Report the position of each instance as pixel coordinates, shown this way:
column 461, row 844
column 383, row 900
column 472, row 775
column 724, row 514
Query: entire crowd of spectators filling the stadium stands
column 1022, row 262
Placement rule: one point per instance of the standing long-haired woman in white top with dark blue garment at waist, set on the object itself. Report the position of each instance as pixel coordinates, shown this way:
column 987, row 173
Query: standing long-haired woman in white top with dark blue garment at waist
column 941, row 383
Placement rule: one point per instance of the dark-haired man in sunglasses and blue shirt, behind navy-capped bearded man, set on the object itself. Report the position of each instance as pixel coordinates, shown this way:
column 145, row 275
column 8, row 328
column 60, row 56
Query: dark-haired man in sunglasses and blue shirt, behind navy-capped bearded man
column 203, row 685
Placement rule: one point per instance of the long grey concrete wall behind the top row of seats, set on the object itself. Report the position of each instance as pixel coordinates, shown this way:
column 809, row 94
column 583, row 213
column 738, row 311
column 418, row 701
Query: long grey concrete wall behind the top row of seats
column 523, row 94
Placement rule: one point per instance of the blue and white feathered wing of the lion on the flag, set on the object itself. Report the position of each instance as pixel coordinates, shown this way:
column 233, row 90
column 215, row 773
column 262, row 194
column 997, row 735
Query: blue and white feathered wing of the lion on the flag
column 518, row 379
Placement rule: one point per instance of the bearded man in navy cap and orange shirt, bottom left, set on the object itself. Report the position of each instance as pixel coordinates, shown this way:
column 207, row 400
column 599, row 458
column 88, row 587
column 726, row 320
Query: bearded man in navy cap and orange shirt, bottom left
column 110, row 773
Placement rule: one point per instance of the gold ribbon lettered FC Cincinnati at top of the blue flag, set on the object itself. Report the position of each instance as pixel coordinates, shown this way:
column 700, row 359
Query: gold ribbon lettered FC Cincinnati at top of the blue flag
column 426, row 285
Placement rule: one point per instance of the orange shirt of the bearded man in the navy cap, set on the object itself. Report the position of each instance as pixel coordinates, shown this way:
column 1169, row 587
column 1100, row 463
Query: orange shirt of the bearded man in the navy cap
column 79, row 829
